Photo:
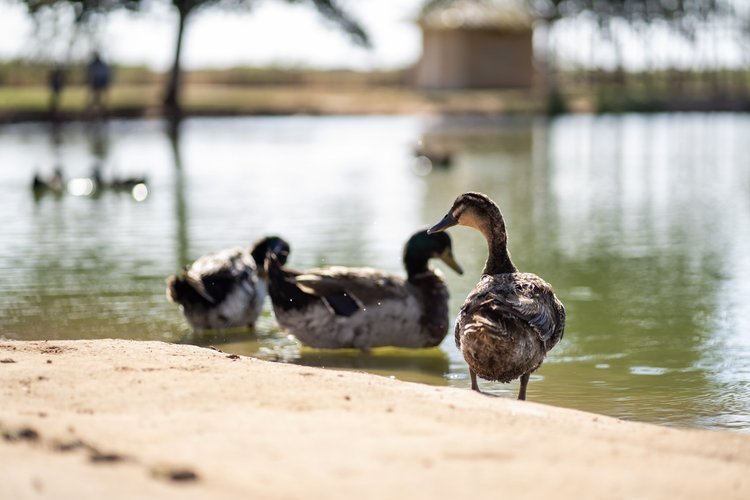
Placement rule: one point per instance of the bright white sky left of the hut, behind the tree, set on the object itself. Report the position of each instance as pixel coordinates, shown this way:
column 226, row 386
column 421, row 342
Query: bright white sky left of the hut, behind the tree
column 272, row 33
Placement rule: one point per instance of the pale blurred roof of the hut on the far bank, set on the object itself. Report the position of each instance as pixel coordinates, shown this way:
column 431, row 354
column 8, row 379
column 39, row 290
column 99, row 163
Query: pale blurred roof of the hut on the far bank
column 512, row 15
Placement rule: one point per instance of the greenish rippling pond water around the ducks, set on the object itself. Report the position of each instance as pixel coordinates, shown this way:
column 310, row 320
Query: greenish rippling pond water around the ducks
column 640, row 223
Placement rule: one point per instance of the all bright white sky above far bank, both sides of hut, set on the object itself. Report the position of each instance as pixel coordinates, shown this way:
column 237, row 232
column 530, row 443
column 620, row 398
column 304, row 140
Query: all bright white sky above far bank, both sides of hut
column 276, row 33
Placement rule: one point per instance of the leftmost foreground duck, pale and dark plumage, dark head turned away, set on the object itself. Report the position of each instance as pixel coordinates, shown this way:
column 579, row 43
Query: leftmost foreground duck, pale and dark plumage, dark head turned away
column 227, row 288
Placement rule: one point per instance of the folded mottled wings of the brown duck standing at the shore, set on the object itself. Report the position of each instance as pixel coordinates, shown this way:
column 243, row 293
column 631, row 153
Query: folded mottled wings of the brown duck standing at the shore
column 521, row 297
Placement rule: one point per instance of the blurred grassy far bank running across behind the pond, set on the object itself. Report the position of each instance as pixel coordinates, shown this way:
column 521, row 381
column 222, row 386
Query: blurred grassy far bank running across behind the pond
column 246, row 90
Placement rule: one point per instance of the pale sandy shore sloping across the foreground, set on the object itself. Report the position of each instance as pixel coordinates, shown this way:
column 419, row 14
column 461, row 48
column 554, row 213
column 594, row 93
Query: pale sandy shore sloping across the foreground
column 126, row 419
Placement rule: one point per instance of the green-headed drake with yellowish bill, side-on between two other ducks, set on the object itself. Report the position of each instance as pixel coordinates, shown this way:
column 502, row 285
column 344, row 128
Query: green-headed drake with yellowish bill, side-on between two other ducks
column 362, row 308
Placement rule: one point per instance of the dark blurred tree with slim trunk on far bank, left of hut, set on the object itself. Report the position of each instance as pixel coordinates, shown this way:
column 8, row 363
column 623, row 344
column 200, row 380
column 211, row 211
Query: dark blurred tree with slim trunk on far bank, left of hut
column 87, row 10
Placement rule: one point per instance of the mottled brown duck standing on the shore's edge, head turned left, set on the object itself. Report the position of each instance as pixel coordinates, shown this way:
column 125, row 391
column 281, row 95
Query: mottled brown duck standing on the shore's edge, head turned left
column 511, row 319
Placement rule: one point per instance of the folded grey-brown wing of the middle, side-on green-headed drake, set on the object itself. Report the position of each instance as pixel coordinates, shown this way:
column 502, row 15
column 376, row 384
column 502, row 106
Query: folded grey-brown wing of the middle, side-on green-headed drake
column 348, row 290
